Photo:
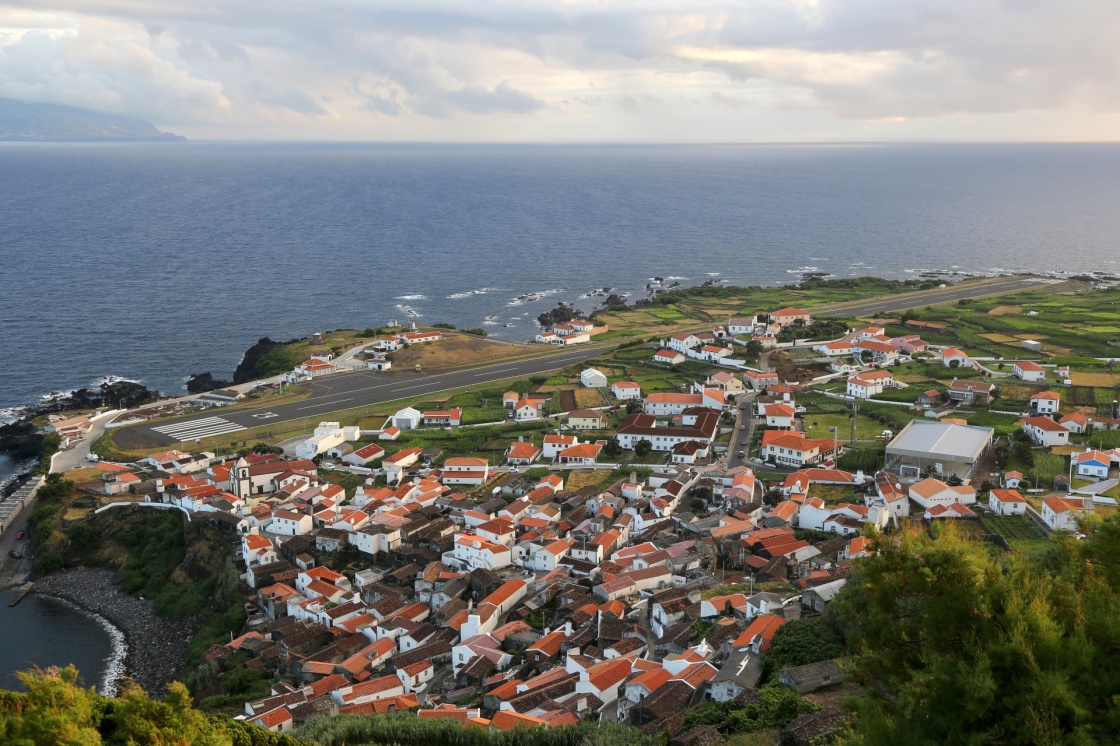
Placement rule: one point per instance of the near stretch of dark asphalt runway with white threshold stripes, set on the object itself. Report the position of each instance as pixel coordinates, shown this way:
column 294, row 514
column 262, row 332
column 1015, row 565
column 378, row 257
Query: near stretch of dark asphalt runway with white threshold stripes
column 344, row 391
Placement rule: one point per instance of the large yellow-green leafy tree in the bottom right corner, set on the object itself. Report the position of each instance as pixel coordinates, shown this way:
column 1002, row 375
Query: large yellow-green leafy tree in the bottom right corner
column 960, row 645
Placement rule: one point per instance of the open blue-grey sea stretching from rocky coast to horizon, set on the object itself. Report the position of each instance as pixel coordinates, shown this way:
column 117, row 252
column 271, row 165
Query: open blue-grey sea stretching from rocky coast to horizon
column 156, row 262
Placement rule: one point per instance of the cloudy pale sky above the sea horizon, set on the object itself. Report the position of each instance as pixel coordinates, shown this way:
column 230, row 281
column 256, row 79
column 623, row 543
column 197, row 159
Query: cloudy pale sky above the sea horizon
column 695, row 71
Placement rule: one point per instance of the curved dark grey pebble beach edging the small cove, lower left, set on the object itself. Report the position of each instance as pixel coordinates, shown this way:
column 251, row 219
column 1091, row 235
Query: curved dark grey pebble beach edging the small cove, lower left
column 156, row 647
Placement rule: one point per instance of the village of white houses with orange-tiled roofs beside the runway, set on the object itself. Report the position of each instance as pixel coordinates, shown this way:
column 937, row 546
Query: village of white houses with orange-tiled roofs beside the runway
column 626, row 538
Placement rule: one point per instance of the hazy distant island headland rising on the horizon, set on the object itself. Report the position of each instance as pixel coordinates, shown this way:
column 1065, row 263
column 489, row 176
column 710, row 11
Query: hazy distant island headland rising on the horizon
column 38, row 123
